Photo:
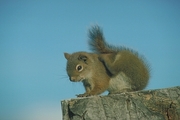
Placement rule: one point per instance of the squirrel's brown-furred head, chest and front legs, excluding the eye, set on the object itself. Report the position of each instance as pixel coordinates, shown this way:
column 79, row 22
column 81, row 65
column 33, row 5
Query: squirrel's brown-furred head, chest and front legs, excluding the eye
column 89, row 75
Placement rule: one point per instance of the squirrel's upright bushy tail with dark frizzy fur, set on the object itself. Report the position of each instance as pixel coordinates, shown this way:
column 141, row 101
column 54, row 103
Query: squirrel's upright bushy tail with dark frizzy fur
column 97, row 42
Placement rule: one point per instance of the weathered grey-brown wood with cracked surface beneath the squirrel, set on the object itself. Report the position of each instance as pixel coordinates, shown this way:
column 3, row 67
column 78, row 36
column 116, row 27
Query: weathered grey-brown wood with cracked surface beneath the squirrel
column 162, row 104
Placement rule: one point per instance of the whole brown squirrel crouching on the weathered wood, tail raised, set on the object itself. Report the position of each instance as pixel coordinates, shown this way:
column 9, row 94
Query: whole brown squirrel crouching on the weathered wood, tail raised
column 111, row 68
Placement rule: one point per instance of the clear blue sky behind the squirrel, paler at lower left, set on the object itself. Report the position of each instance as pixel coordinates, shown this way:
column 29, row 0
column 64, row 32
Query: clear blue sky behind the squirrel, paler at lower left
column 34, row 34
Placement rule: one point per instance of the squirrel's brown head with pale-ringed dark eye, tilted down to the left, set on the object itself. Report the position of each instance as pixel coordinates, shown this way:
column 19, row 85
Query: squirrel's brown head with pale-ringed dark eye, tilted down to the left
column 78, row 66
